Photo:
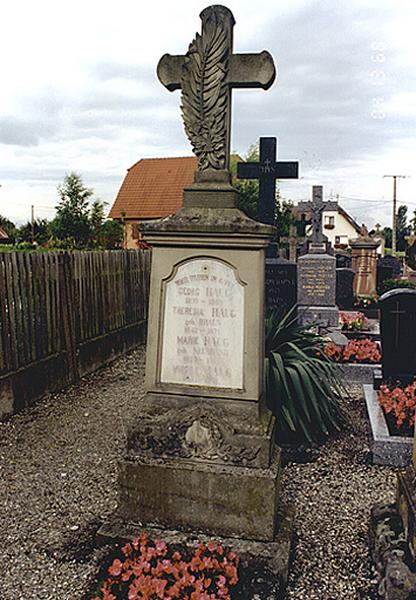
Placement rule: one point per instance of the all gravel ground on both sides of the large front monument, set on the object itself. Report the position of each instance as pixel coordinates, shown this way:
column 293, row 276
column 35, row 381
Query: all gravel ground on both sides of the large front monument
column 58, row 473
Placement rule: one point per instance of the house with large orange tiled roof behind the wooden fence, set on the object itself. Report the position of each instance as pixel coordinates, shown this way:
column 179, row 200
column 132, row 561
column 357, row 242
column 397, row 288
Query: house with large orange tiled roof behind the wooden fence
column 152, row 188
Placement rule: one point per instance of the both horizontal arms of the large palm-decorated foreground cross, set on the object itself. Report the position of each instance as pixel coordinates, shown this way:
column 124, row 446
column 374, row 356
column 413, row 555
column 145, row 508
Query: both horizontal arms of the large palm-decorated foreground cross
column 246, row 70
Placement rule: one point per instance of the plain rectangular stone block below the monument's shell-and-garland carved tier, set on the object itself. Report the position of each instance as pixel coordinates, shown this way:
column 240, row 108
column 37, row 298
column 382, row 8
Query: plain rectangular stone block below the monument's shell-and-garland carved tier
column 217, row 499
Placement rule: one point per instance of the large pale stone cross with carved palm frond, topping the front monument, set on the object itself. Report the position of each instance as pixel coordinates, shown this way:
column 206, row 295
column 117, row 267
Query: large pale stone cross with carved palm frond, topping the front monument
column 206, row 75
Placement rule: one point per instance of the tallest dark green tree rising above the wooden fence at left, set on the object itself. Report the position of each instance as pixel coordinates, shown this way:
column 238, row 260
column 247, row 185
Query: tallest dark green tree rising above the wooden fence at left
column 72, row 221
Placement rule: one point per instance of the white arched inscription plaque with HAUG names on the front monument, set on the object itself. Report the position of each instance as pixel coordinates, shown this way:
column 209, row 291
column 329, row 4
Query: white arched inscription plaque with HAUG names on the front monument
column 203, row 326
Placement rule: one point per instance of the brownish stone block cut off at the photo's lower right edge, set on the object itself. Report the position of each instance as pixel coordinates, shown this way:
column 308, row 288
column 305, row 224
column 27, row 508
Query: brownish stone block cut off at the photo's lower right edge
column 406, row 504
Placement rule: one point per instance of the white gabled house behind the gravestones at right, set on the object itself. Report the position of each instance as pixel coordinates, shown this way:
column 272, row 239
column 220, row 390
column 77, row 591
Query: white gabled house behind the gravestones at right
column 337, row 224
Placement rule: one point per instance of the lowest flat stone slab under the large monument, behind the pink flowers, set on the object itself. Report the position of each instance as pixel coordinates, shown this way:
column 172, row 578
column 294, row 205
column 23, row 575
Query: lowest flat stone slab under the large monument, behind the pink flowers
column 264, row 566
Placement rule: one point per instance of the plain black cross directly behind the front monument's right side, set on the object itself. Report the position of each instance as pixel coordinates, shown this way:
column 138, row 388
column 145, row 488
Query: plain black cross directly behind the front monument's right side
column 267, row 171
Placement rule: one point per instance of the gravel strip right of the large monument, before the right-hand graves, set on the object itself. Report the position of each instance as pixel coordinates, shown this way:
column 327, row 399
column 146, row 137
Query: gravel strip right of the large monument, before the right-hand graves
column 332, row 497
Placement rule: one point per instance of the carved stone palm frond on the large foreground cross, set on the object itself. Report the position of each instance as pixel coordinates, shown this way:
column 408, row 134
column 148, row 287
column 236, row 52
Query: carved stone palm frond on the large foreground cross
column 205, row 94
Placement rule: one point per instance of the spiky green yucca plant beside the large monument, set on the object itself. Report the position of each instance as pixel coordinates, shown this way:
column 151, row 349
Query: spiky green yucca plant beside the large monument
column 302, row 385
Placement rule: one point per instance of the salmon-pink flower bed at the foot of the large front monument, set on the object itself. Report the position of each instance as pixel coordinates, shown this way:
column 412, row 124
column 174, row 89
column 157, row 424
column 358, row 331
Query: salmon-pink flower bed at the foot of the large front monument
column 145, row 569
